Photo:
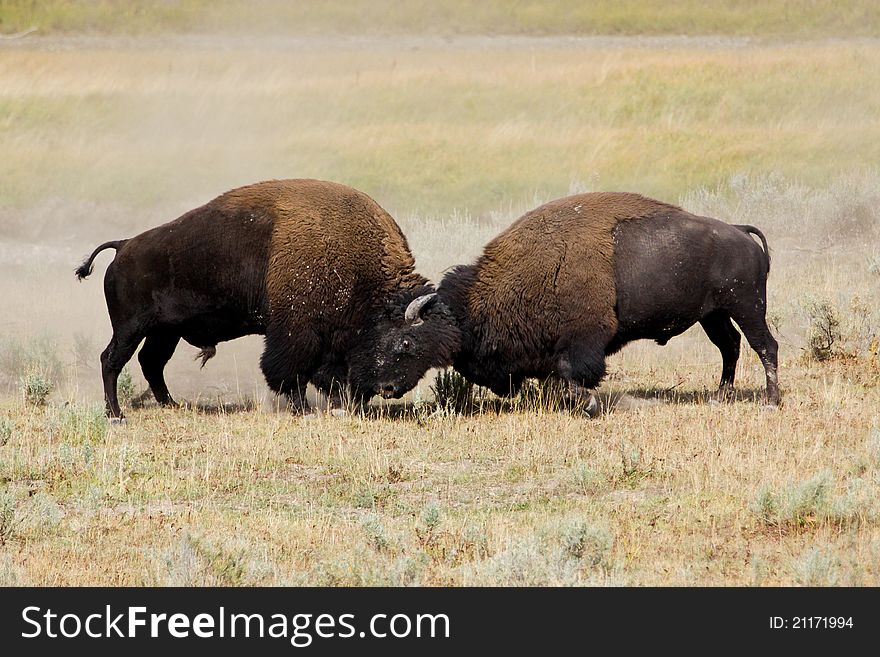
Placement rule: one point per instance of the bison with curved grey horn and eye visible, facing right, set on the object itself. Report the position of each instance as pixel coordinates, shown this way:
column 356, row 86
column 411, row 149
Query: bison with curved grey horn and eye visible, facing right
column 317, row 267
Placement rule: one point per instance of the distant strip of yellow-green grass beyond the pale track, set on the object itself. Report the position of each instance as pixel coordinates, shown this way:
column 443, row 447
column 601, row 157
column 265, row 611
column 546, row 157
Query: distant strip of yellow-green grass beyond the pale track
column 446, row 17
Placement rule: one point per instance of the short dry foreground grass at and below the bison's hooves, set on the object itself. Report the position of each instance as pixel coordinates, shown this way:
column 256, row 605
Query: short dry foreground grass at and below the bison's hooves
column 671, row 492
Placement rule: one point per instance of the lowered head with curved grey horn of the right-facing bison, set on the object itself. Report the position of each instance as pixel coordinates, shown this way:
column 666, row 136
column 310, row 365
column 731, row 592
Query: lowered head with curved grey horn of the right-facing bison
column 414, row 332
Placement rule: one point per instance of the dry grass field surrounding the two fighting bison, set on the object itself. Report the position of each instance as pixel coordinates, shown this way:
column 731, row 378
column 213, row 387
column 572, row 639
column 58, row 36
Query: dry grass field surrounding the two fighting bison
column 106, row 133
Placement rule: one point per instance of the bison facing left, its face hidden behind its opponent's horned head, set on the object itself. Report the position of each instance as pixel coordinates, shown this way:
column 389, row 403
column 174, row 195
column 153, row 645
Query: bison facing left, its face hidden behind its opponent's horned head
column 576, row 279
